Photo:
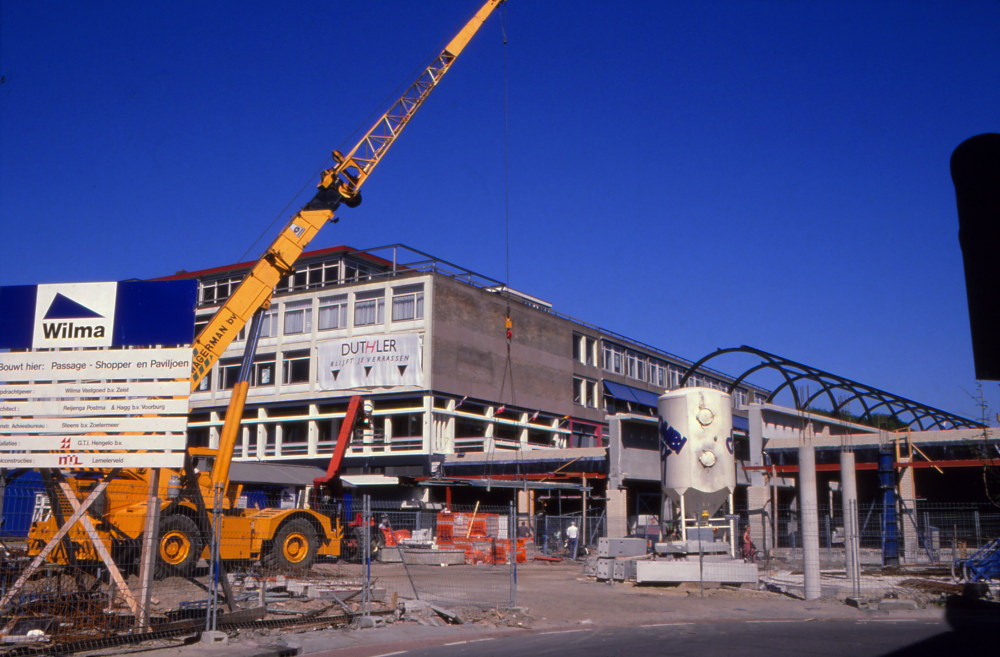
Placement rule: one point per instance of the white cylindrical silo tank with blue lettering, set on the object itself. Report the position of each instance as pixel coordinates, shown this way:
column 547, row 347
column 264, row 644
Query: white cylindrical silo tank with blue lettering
column 696, row 448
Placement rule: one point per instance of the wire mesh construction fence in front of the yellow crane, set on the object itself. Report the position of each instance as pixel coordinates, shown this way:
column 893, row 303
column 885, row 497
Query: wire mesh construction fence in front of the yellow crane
column 84, row 564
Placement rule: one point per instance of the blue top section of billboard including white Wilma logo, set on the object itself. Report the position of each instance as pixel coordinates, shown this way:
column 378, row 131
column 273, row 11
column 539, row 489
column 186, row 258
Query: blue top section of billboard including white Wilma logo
column 122, row 314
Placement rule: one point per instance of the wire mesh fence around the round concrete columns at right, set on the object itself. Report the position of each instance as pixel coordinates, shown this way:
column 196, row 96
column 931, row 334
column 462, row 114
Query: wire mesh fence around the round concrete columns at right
column 916, row 550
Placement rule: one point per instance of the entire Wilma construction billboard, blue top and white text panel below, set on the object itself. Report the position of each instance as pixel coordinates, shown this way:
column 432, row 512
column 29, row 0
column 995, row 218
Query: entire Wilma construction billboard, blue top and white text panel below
column 84, row 402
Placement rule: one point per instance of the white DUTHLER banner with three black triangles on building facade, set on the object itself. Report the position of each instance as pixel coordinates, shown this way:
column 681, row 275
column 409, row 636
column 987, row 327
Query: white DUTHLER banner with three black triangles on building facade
column 378, row 361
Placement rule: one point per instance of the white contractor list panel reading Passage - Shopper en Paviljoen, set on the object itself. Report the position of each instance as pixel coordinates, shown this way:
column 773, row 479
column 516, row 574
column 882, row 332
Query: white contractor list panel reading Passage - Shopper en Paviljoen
column 49, row 422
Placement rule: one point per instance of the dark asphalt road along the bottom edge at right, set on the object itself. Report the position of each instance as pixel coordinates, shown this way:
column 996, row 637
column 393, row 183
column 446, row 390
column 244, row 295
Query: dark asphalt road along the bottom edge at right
column 740, row 639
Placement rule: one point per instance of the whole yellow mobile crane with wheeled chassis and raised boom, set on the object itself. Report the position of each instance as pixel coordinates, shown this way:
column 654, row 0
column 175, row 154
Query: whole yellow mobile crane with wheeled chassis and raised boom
column 289, row 538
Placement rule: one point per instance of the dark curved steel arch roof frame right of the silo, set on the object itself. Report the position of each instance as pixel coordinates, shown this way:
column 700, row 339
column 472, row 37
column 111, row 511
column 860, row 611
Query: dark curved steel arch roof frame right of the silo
column 872, row 400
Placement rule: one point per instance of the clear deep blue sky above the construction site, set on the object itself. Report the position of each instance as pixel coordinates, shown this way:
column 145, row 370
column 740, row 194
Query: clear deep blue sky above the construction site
column 691, row 174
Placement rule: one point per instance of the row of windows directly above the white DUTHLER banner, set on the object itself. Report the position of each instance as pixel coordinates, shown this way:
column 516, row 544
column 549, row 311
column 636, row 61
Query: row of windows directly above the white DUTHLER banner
column 332, row 312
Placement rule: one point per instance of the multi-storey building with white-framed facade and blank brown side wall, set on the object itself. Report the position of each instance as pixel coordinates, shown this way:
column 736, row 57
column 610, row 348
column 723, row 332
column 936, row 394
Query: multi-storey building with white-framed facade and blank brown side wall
column 425, row 342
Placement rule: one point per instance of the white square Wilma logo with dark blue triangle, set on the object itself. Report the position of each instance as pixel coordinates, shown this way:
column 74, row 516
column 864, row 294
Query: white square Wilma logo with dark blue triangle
column 75, row 315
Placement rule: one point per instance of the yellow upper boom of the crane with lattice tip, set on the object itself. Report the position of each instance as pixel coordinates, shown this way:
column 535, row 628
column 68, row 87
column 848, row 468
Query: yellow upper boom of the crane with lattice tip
column 341, row 184
